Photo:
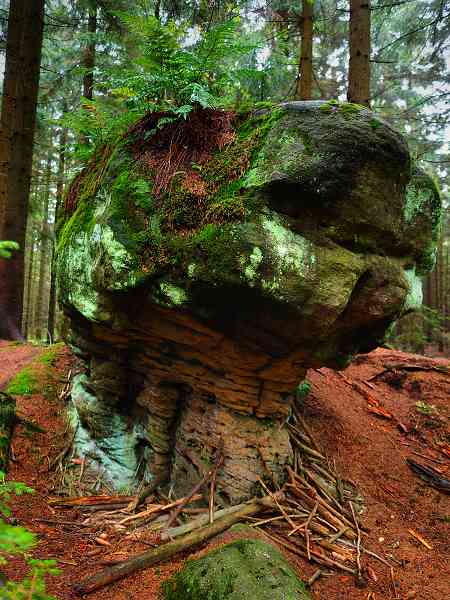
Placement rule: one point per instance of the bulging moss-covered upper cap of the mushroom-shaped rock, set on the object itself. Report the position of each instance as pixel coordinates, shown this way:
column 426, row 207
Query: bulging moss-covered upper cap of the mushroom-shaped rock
column 305, row 232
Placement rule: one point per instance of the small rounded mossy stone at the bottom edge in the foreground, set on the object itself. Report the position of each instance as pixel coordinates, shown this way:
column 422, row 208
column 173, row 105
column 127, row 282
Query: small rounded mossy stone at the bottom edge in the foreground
column 244, row 569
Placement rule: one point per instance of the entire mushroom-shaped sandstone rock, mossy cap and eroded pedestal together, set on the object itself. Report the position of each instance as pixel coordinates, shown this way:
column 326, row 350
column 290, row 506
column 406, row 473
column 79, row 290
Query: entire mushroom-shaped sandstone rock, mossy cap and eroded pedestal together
column 200, row 282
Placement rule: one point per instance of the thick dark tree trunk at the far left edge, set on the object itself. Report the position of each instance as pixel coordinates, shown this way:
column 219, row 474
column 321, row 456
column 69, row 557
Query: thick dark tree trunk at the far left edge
column 19, row 161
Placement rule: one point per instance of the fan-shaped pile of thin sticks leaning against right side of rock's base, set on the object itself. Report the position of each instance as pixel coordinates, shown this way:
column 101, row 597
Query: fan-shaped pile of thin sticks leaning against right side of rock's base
column 318, row 518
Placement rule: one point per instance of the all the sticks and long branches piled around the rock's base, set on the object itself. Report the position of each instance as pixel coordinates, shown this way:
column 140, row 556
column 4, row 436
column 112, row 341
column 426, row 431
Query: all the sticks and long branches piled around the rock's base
column 316, row 515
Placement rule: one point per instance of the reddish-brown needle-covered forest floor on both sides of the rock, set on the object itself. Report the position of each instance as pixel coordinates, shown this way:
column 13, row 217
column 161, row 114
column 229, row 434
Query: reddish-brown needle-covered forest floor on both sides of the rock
column 370, row 450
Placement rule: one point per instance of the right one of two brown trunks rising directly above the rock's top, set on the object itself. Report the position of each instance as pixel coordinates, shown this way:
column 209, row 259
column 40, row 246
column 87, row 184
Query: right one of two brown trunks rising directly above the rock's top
column 359, row 44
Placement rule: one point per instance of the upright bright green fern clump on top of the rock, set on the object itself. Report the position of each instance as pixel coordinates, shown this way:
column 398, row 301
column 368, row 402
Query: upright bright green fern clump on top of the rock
column 177, row 76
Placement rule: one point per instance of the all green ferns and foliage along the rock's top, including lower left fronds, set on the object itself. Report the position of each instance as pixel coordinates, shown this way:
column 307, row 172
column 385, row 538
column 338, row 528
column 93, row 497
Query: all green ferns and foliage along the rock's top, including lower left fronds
column 168, row 74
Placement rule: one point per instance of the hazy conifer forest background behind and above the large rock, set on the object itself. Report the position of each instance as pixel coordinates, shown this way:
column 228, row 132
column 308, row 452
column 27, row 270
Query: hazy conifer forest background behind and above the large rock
column 106, row 62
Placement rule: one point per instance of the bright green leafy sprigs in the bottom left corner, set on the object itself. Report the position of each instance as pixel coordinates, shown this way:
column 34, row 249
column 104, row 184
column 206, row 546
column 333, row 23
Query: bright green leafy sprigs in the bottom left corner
column 18, row 540
